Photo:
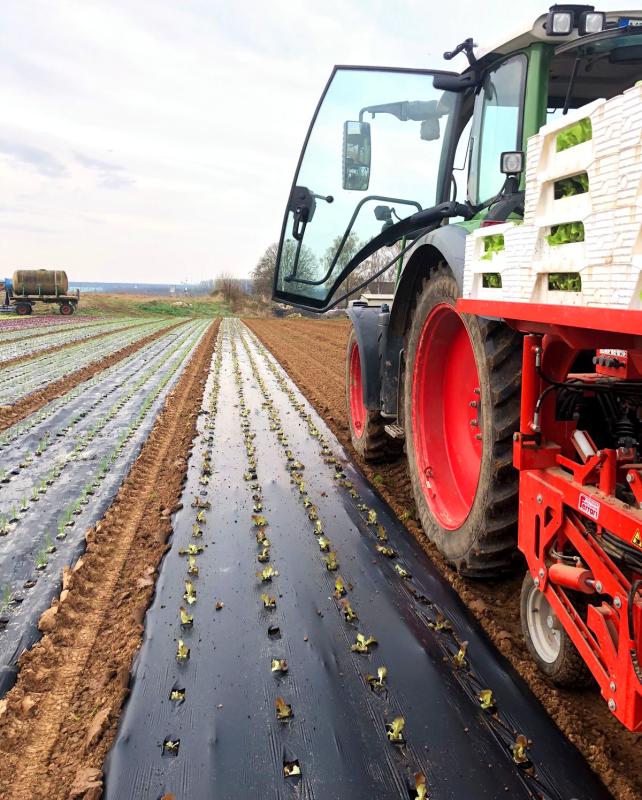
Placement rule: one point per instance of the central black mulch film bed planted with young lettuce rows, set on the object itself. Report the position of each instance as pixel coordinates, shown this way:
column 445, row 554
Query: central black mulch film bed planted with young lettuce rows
column 301, row 645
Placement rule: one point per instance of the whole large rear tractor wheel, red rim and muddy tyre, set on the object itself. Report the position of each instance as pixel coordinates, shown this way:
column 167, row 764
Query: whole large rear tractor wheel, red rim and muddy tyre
column 461, row 408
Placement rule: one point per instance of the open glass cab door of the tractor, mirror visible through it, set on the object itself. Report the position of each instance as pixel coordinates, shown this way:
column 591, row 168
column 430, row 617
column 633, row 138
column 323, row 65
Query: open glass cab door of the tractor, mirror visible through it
column 374, row 155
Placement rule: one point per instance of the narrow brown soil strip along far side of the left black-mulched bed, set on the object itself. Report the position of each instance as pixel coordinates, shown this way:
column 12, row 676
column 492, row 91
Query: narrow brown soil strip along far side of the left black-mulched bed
column 10, row 414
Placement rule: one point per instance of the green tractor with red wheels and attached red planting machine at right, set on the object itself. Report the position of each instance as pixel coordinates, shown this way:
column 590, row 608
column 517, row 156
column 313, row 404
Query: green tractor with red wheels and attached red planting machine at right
column 521, row 420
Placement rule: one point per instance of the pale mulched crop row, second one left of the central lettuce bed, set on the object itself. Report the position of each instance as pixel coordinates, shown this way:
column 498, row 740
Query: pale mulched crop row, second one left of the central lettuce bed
column 20, row 380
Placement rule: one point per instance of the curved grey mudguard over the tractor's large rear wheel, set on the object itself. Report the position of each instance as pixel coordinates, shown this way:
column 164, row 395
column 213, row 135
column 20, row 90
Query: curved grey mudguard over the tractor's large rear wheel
column 447, row 243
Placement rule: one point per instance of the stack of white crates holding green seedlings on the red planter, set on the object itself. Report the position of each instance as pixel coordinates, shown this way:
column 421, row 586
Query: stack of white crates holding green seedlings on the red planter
column 609, row 260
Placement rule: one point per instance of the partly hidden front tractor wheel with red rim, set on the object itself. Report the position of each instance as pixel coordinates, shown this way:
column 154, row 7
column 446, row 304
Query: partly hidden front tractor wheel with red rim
column 369, row 438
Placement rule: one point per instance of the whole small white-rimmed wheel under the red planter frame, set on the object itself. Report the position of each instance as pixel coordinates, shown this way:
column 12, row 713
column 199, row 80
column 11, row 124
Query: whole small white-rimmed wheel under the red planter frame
column 548, row 642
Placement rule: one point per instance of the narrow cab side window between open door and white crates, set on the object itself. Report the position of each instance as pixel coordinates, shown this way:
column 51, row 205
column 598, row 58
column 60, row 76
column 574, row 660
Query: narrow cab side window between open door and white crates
column 498, row 115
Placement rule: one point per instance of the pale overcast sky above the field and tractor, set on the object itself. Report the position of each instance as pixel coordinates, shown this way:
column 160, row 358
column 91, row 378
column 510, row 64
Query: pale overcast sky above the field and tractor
column 155, row 140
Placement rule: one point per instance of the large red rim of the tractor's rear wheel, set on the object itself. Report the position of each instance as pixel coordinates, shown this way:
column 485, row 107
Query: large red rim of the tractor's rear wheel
column 446, row 419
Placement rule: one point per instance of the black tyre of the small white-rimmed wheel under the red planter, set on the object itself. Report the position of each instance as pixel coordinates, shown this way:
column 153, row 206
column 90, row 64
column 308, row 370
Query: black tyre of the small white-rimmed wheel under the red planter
column 568, row 669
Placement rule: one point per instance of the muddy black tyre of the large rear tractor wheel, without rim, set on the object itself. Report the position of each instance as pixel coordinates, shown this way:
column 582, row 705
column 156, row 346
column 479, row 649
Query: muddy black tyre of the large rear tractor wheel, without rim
column 484, row 545
